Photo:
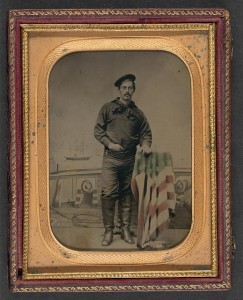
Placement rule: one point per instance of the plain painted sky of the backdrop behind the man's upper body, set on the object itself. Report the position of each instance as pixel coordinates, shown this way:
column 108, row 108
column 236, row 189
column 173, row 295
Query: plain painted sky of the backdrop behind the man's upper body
column 80, row 83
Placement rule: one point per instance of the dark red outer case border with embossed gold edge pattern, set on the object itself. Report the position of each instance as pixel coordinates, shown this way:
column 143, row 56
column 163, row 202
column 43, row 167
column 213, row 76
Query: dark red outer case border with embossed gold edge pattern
column 220, row 148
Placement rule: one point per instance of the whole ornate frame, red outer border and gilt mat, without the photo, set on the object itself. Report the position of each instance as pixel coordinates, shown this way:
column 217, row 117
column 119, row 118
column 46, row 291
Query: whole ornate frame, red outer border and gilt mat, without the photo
column 195, row 264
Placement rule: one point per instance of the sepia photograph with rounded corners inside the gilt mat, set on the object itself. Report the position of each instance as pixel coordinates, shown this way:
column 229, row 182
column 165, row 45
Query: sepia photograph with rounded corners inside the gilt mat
column 120, row 145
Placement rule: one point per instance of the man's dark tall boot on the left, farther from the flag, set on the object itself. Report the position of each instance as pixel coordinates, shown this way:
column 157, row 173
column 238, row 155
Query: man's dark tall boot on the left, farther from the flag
column 108, row 211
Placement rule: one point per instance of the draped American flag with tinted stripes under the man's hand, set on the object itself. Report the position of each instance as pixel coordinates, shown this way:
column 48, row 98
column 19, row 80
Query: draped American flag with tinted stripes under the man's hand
column 153, row 188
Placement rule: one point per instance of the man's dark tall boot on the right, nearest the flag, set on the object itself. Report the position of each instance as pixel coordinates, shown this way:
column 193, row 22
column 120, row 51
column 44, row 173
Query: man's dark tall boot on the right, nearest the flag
column 126, row 216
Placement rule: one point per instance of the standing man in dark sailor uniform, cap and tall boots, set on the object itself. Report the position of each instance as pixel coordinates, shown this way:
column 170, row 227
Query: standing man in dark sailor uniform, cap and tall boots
column 120, row 127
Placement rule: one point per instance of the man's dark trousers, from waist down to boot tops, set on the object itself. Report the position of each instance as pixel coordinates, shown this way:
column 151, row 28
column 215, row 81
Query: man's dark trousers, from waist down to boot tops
column 116, row 185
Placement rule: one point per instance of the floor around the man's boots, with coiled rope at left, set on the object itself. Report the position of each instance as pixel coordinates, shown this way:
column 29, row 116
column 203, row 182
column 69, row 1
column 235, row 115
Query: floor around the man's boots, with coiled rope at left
column 81, row 228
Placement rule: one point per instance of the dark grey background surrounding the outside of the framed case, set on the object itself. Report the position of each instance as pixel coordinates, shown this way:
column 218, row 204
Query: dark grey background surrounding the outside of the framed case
column 236, row 9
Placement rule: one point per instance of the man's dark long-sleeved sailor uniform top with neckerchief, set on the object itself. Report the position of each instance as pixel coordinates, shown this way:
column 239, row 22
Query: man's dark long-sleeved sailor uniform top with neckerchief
column 124, row 125
